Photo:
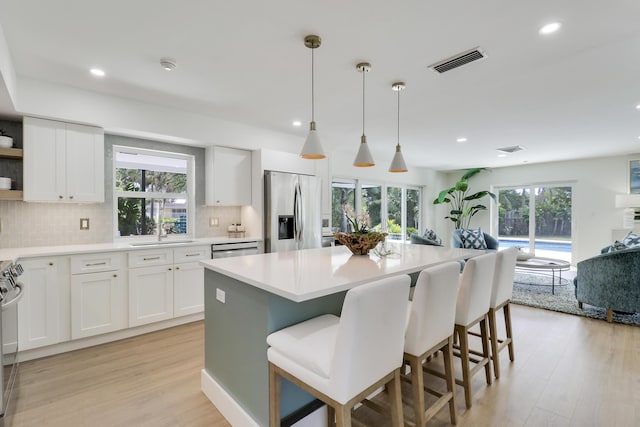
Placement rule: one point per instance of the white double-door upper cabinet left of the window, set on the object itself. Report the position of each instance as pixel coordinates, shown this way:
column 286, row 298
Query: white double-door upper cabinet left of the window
column 63, row 162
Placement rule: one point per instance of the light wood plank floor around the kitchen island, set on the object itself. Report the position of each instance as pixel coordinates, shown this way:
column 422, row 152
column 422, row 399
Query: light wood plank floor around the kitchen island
column 569, row 371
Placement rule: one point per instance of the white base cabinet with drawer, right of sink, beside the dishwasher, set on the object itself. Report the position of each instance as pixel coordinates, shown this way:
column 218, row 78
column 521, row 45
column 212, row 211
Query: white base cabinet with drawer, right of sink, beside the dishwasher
column 188, row 280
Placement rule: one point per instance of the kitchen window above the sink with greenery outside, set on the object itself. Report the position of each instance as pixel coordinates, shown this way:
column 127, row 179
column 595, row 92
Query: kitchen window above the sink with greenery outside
column 152, row 188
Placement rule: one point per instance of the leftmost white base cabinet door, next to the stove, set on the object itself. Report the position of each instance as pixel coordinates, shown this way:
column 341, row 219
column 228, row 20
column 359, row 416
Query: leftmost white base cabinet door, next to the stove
column 38, row 317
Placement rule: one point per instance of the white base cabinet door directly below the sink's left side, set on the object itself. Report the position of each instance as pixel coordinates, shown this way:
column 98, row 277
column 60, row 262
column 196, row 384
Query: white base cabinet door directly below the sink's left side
column 150, row 294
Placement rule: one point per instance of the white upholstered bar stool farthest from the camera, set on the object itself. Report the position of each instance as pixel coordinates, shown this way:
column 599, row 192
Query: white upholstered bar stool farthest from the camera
column 501, row 299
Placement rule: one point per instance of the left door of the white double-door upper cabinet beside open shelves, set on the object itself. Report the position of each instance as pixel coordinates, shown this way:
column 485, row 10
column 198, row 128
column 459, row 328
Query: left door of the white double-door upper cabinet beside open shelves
column 44, row 160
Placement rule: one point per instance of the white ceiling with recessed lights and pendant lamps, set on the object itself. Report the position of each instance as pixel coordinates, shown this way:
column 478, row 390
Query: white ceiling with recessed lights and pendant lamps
column 564, row 96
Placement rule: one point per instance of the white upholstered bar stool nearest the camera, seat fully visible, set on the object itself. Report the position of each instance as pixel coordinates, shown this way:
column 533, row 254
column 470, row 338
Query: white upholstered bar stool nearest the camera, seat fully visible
column 342, row 360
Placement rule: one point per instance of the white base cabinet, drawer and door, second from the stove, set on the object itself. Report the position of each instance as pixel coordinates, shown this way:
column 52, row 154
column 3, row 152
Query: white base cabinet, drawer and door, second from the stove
column 98, row 294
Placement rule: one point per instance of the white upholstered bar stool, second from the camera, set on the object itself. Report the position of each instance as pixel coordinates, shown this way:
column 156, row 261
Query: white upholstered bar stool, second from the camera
column 429, row 330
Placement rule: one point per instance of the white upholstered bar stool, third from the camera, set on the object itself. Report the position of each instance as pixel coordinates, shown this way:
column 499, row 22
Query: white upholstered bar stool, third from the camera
column 472, row 308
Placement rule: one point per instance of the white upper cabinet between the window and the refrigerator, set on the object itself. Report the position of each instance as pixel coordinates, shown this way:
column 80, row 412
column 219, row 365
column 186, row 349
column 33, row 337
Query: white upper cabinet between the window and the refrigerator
column 228, row 176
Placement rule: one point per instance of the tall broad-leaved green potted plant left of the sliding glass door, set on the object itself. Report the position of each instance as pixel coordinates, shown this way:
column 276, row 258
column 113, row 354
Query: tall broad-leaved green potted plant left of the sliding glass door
column 462, row 201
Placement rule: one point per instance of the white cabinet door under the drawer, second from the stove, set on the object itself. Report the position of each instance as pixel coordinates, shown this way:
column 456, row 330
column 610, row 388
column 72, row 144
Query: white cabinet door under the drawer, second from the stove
column 97, row 303
